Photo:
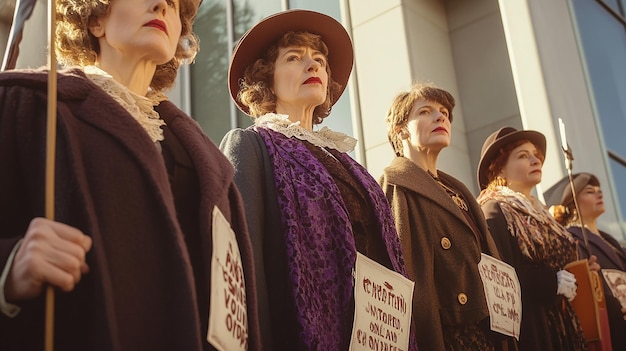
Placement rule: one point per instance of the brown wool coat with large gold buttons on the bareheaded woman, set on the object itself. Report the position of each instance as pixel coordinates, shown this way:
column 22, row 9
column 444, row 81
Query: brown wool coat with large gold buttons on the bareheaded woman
column 441, row 250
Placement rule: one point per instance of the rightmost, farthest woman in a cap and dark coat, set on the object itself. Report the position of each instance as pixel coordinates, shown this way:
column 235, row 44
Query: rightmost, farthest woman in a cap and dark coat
column 602, row 245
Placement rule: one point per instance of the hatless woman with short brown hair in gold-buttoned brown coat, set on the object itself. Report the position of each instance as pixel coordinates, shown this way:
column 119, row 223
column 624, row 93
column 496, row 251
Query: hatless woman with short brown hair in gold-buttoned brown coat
column 441, row 227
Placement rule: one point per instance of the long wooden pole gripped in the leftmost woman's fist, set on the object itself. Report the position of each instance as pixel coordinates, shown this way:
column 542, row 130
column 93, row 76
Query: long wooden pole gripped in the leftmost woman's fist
column 50, row 157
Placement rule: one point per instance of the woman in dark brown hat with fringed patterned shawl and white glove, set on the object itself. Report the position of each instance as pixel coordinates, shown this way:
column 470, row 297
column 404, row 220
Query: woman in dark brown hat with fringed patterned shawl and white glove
column 529, row 239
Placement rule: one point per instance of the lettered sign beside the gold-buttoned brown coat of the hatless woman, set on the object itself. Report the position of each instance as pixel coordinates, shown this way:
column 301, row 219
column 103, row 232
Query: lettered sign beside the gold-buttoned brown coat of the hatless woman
column 504, row 295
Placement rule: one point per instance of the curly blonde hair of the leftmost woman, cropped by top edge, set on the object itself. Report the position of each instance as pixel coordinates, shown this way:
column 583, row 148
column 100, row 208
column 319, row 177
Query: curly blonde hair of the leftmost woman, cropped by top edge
column 76, row 46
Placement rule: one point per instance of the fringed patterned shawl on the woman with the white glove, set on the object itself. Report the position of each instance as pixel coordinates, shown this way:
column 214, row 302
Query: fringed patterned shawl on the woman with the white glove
column 539, row 236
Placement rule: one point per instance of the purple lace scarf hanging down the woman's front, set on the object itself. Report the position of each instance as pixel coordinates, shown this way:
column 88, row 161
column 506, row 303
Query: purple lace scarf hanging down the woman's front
column 321, row 252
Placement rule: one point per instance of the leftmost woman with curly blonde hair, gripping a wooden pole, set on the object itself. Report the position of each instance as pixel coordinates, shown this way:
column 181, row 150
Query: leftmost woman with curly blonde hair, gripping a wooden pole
column 146, row 208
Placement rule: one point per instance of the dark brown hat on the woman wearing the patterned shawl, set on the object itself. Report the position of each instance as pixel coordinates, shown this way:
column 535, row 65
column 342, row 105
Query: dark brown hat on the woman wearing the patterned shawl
column 499, row 139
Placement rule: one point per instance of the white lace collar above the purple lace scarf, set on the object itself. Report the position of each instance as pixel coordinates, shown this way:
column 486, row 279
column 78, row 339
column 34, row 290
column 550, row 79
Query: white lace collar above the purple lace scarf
column 322, row 138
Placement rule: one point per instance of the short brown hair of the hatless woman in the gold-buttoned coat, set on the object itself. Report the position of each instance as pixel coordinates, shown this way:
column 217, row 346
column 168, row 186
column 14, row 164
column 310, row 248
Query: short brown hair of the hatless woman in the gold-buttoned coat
column 398, row 114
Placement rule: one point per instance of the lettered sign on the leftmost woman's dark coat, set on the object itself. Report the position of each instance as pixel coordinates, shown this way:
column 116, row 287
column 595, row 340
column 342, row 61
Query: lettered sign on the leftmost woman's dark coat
column 228, row 316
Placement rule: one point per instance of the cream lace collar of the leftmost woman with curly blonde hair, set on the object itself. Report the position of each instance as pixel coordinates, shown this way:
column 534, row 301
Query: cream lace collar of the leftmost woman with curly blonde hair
column 140, row 107
